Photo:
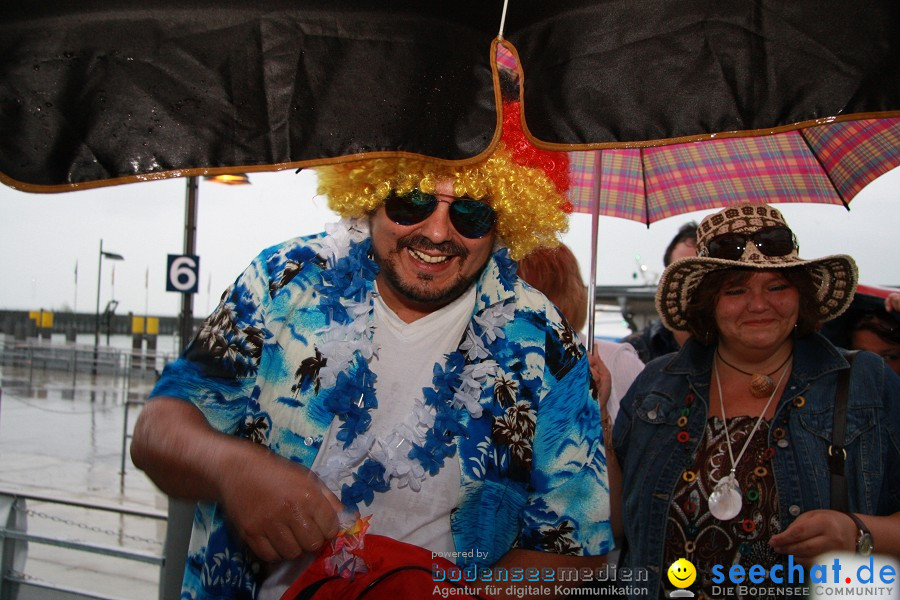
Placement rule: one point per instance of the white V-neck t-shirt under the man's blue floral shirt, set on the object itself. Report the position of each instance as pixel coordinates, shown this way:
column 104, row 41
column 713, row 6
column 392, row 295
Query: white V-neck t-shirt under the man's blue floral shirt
column 403, row 363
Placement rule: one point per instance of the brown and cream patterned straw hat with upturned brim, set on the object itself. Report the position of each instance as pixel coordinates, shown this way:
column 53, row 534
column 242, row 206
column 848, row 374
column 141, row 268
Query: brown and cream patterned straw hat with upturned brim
column 835, row 276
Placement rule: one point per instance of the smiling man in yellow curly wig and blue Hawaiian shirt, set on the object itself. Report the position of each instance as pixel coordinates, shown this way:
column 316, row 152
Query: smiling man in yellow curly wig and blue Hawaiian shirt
column 400, row 359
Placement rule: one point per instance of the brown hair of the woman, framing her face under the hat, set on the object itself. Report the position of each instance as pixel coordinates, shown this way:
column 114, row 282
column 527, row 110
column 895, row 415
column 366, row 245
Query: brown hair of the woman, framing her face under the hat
column 702, row 304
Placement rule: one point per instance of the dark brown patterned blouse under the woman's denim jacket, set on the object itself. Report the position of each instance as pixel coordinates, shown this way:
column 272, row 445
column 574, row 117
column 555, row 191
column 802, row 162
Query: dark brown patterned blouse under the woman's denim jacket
column 693, row 533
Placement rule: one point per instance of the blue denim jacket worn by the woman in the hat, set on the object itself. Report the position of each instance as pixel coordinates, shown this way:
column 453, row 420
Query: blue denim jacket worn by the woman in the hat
column 653, row 459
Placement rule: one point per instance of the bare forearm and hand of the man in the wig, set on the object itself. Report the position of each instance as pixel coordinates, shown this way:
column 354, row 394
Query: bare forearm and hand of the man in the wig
column 278, row 507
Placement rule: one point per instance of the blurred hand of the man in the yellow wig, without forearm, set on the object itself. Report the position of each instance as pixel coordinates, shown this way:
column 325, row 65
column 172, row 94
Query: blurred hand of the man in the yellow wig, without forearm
column 279, row 508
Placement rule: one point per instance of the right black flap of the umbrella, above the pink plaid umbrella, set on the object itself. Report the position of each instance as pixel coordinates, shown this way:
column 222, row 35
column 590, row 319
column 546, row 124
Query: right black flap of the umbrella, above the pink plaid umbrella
column 617, row 70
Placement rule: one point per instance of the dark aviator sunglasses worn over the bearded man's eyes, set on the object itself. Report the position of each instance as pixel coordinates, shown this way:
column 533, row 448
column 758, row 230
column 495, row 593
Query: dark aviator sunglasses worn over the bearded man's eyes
column 472, row 219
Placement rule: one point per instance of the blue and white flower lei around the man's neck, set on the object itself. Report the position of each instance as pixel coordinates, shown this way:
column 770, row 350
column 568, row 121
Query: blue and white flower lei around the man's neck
column 418, row 446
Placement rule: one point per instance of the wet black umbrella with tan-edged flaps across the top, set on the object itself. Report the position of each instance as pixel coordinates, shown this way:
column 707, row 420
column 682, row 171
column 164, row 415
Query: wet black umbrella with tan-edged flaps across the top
column 100, row 92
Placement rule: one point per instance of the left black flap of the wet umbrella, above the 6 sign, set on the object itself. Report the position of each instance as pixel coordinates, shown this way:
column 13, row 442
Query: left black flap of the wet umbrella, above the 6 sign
column 101, row 90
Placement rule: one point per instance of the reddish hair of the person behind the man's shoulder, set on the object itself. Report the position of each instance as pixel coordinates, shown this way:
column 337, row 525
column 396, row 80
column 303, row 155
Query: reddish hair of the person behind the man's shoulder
column 555, row 272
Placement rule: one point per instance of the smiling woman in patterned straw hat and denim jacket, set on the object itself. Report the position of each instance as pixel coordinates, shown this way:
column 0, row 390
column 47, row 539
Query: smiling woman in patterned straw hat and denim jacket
column 726, row 447
